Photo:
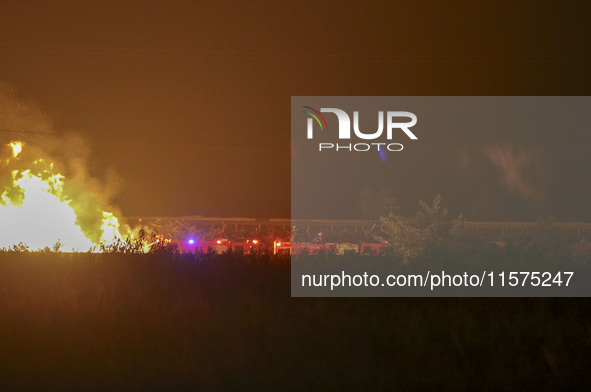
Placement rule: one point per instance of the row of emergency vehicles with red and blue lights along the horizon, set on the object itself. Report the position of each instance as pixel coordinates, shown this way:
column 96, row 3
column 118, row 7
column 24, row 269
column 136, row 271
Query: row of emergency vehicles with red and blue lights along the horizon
column 192, row 245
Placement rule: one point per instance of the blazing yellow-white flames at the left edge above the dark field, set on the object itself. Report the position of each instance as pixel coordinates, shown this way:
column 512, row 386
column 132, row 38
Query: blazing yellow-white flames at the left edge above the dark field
column 36, row 210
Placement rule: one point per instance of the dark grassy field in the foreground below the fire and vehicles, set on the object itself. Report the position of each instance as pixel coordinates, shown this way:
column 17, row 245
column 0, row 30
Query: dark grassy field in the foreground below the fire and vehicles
column 150, row 322
